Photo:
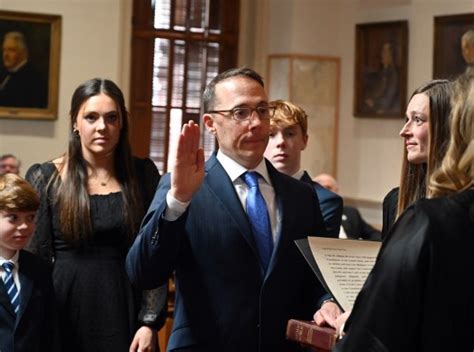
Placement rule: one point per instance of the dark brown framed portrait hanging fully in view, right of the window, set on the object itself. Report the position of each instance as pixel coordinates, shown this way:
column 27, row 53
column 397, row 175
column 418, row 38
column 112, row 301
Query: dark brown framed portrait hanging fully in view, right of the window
column 380, row 82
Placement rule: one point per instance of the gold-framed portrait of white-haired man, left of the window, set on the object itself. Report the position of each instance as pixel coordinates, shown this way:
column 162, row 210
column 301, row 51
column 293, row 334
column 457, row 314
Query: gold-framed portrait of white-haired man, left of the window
column 29, row 69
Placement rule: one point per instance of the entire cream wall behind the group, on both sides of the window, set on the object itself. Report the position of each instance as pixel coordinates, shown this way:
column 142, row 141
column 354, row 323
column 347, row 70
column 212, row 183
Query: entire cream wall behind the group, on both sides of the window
column 96, row 37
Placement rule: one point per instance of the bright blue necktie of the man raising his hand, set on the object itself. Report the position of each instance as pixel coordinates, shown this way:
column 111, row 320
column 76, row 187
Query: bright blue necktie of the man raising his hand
column 257, row 213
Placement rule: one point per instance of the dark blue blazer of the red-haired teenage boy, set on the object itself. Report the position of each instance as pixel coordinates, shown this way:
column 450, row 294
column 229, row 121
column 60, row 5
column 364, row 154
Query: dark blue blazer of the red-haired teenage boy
column 330, row 204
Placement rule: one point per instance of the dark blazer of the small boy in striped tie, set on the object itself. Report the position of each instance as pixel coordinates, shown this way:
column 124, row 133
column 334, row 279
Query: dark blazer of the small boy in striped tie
column 33, row 330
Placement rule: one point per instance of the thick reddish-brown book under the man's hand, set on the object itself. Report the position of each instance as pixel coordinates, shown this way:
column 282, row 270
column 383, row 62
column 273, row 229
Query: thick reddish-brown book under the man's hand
column 310, row 334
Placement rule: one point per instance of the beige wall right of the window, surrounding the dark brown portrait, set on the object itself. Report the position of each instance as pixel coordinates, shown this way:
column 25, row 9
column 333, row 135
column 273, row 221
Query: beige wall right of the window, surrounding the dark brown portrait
column 369, row 157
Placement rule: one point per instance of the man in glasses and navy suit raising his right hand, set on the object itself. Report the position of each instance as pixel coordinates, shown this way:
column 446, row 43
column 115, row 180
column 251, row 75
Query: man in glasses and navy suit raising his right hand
column 237, row 285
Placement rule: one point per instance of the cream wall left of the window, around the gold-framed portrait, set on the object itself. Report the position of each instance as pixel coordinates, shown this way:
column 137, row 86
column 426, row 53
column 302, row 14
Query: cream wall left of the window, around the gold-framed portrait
column 95, row 37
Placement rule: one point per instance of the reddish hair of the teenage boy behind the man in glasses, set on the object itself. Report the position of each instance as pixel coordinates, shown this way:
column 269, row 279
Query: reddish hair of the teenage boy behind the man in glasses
column 288, row 114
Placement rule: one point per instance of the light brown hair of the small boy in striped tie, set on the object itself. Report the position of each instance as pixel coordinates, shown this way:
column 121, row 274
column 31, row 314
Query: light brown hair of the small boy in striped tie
column 16, row 194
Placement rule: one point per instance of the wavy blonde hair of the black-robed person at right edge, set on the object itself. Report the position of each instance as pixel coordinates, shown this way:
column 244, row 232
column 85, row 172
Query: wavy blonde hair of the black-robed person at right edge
column 456, row 172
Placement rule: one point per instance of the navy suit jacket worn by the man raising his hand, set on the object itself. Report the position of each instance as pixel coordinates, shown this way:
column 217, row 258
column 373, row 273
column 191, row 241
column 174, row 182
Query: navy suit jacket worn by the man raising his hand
column 224, row 300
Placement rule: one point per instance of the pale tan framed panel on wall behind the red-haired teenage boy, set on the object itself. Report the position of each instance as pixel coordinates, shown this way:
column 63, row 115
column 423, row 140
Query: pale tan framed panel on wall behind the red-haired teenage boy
column 311, row 82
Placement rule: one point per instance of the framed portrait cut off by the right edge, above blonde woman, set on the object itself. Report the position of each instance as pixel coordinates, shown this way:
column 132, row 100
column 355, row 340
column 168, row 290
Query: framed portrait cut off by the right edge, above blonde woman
column 448, row 58
